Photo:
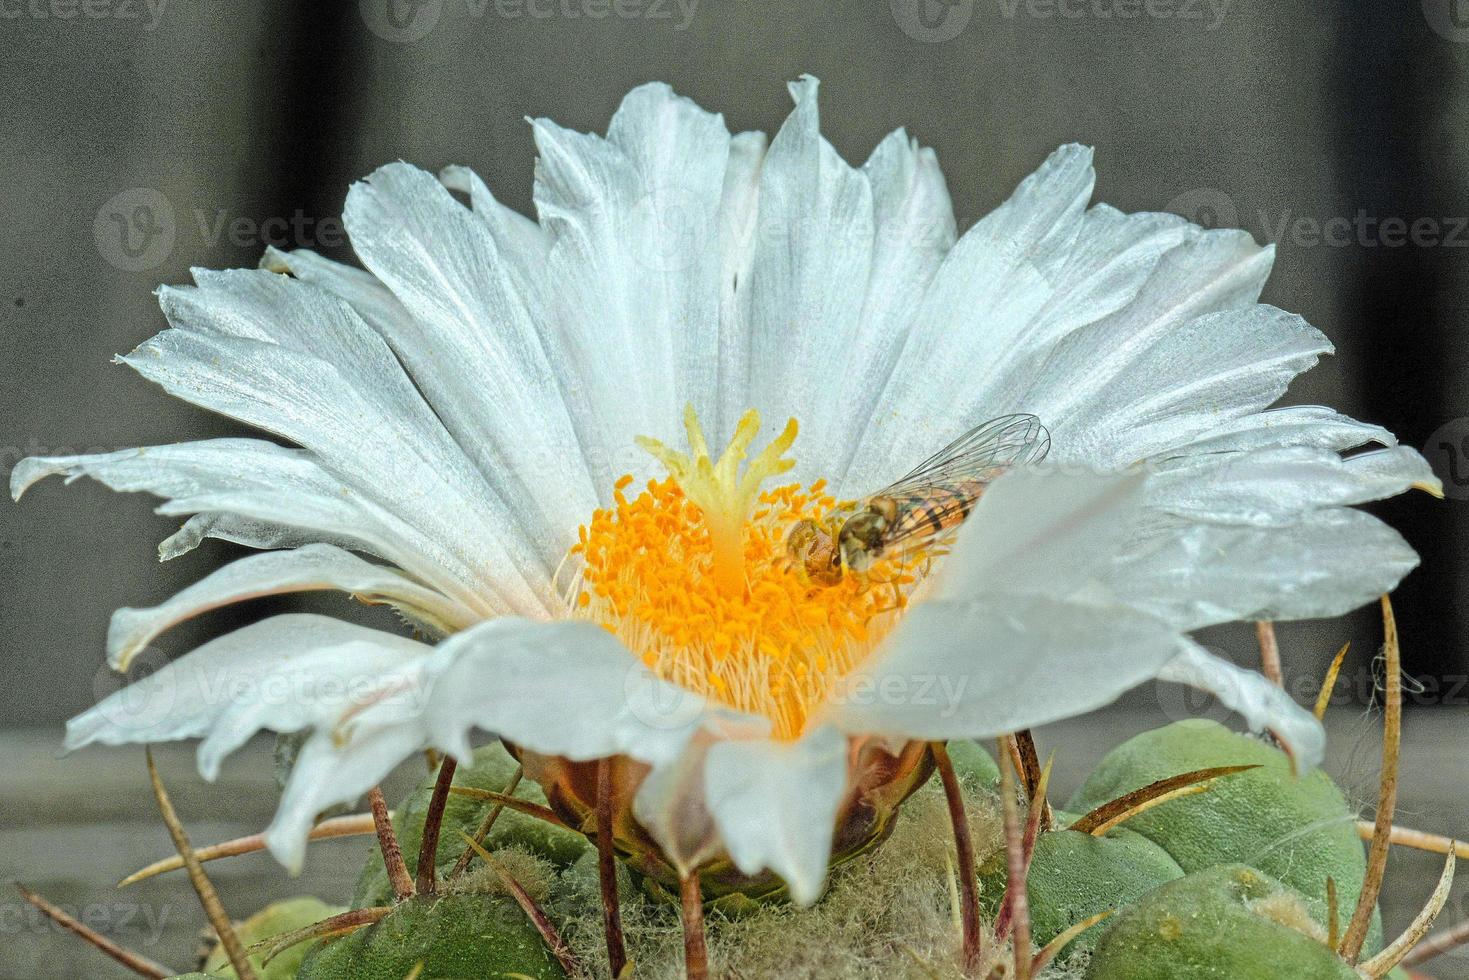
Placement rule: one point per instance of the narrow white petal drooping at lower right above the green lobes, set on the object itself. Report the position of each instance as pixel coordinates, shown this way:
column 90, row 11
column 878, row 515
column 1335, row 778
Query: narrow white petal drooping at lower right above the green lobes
column 1263, row 705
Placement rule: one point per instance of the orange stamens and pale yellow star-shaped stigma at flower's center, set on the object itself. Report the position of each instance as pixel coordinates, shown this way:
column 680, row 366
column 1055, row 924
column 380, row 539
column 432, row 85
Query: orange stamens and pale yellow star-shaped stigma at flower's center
column 694, row 577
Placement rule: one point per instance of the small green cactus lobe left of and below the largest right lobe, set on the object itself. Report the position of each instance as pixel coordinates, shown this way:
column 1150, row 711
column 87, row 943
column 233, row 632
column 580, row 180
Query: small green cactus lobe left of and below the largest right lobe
column 1075, row 876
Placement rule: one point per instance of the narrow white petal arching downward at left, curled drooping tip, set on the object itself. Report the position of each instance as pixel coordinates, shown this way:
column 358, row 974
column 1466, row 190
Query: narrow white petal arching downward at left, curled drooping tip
column 299, row 571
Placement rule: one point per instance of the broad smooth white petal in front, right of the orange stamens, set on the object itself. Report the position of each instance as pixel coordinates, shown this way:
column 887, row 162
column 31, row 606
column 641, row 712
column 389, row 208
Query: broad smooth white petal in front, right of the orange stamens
column 998, row 665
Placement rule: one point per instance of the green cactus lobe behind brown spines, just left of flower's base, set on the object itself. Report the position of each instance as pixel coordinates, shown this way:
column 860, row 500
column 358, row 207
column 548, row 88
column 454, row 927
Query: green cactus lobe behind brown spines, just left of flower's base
column 493, row 771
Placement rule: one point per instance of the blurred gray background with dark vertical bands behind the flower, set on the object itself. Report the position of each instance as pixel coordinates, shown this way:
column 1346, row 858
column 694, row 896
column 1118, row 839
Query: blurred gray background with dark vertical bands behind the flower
column 1335, row 130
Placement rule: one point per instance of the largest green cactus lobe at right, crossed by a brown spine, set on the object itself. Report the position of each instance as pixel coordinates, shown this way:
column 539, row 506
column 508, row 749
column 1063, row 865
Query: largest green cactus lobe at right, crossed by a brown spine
column 1296, row 829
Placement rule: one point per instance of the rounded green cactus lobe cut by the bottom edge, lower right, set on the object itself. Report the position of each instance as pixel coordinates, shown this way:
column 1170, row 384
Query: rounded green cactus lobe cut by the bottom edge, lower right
column 1227, row 923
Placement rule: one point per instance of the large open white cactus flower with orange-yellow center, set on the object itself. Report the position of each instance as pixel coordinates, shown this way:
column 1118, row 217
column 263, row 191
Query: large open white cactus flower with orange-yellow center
column 465, row 405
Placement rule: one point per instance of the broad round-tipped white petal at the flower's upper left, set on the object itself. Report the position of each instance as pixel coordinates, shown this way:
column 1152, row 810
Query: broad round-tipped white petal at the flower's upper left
column 474, row 345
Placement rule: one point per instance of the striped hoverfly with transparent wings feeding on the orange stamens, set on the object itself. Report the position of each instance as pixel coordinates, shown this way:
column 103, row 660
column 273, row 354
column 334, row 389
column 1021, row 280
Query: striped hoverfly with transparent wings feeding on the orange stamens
column 931, row 502
